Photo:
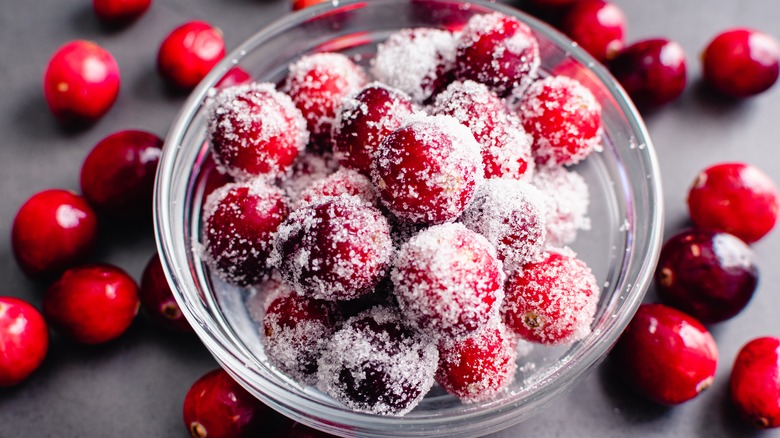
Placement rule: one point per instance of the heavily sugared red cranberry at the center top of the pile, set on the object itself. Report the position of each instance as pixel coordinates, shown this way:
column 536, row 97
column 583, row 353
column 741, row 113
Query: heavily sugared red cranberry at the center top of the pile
column 428, row 170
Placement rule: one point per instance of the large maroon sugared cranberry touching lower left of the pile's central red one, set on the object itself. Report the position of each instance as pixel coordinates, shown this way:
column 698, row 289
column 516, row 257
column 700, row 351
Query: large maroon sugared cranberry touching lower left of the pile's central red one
column 334, row 249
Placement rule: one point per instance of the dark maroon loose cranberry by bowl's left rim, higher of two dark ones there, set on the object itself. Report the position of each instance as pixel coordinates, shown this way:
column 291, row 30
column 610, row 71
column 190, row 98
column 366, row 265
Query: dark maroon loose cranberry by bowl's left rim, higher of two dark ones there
column 117, row 177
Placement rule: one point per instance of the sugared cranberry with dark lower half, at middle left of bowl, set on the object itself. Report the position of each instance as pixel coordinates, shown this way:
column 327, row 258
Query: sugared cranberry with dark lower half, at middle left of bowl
column 241, row 220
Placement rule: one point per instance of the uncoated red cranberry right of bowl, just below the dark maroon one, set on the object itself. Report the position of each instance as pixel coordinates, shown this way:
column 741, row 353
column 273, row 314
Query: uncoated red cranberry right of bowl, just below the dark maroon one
column 666, row 355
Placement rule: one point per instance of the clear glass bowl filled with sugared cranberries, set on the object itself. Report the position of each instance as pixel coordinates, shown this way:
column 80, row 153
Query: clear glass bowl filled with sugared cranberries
column 413, row 218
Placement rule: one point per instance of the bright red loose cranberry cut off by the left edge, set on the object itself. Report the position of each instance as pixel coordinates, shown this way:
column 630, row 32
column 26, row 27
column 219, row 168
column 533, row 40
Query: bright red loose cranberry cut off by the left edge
column 24, row 340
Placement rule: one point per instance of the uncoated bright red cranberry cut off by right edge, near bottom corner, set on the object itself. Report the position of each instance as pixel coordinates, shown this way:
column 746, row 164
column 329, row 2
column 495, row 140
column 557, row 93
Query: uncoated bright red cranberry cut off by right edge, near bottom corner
column 755, row 382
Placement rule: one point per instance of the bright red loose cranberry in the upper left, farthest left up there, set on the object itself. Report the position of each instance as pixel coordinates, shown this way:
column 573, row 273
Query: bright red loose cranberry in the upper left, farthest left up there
column 81, row 82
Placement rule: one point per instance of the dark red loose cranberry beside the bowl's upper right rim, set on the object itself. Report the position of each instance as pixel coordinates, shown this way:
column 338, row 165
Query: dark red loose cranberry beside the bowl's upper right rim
column 652, row 71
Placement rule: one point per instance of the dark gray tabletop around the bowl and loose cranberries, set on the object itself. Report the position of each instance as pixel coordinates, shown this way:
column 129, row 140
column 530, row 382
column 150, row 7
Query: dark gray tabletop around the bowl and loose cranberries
column 135, row 386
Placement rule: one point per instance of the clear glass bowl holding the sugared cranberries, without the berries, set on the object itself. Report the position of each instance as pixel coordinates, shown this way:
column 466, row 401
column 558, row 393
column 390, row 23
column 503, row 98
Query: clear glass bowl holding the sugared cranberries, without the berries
column 621, row 248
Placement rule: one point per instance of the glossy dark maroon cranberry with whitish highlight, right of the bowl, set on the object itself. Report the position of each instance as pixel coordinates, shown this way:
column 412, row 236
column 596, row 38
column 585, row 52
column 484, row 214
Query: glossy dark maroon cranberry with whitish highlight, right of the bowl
column 706, row 274
